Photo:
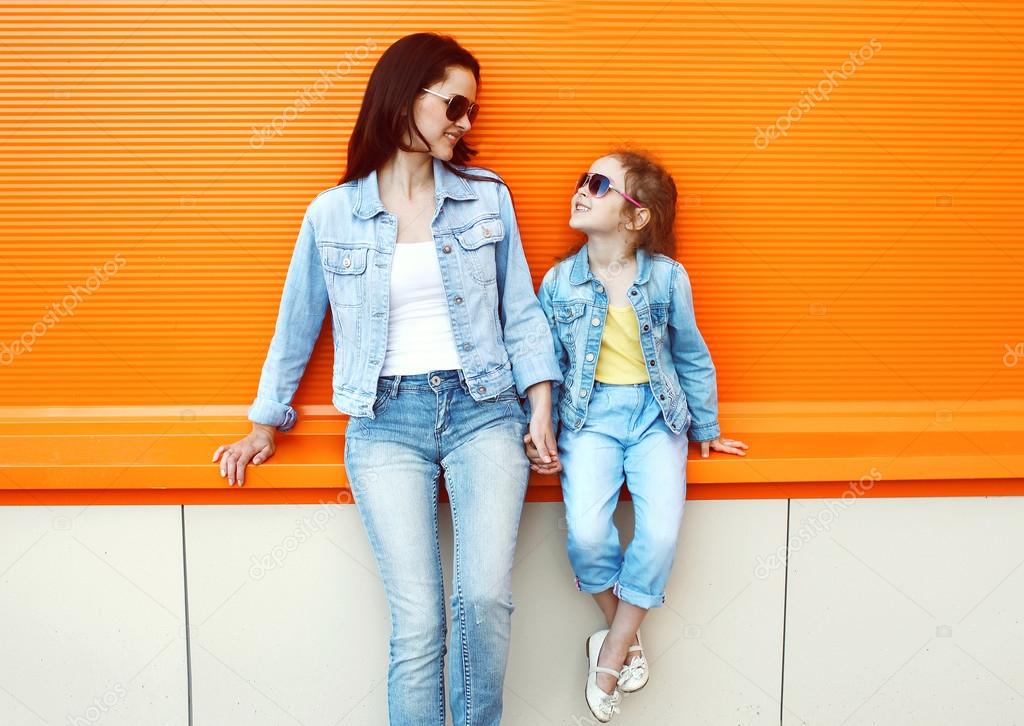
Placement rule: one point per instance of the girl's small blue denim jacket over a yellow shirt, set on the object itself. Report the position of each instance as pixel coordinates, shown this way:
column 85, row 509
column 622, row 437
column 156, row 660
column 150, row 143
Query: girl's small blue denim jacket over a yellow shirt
column 679, row 365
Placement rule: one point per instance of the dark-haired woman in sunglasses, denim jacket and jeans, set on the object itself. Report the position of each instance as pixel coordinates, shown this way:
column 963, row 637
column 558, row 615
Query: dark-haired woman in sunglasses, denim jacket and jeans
column 438, row 334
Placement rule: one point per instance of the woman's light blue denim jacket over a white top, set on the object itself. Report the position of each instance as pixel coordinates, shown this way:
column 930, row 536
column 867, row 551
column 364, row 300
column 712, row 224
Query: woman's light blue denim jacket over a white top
column 344, row 258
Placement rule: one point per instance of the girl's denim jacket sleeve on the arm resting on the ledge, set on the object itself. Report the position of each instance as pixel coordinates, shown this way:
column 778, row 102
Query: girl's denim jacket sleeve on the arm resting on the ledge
column 693, row 362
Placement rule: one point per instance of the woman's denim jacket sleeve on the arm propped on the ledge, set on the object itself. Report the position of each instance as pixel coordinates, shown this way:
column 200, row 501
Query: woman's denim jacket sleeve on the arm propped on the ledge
column 301, row 318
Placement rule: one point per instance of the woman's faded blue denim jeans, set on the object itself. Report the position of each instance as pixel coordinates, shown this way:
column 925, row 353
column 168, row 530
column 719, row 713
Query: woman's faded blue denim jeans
column 425, row 422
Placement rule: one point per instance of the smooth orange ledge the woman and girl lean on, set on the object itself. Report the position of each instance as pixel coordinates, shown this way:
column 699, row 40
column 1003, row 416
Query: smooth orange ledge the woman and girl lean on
column 154, row 455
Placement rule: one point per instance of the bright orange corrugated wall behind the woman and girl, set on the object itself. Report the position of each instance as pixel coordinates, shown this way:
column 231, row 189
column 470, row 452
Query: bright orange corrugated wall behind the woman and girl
column 872, row 253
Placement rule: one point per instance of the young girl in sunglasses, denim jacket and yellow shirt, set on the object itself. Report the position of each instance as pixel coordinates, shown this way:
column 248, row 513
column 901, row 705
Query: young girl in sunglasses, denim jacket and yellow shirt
column 637, row 379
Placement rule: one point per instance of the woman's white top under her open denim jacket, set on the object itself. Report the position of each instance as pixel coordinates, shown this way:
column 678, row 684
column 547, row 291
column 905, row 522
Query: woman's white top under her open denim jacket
column 419, row 332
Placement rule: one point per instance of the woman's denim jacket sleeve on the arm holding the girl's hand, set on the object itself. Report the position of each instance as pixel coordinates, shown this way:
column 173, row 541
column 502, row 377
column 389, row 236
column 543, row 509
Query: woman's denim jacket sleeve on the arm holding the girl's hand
column 528, row 338
